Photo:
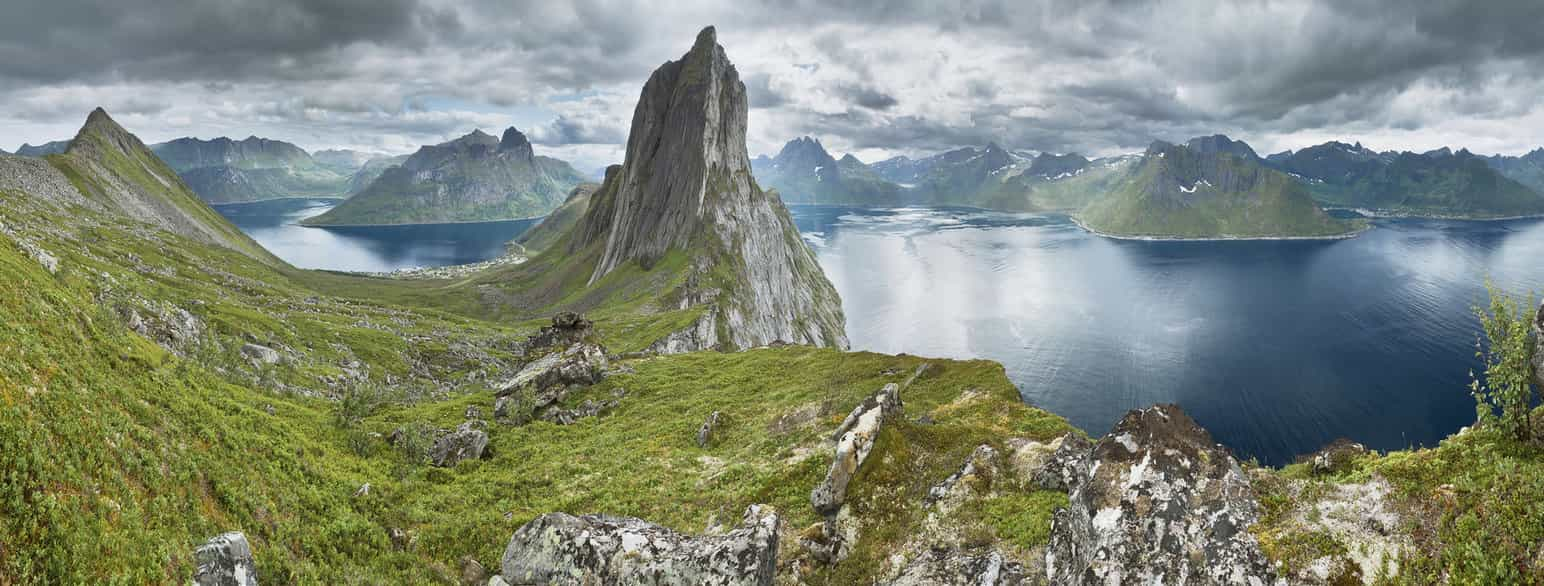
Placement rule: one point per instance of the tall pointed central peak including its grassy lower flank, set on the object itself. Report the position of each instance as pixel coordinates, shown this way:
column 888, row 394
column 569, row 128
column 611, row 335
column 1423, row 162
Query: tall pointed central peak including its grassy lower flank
column 680, row 240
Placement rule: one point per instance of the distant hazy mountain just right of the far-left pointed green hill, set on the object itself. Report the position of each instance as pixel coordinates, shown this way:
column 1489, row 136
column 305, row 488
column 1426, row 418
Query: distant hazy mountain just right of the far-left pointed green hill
column 228, row 172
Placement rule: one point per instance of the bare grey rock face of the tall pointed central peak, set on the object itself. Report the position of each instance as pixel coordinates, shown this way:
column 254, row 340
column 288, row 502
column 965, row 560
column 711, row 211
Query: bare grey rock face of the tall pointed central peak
column 686, row 186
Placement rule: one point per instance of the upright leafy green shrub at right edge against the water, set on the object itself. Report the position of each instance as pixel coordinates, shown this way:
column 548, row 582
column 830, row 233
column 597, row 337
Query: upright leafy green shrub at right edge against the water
column 1508, row 351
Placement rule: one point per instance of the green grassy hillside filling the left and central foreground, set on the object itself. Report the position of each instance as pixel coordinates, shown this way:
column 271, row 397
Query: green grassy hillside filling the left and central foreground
column 124, row 456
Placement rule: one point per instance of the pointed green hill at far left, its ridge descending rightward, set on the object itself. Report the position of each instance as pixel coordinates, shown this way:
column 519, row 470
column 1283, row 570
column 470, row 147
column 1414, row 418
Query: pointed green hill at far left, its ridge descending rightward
column 109, row 169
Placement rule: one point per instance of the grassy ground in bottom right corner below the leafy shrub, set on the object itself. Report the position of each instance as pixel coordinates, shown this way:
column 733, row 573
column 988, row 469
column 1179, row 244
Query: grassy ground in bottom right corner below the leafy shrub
column 1471, row 511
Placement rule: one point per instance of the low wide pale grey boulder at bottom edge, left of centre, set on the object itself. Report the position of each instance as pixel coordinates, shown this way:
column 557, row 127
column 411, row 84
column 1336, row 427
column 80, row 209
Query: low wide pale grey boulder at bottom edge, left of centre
column 600, row 550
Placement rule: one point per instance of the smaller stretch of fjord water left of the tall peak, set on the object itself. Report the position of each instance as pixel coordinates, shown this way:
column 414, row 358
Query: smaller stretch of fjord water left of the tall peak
column 367, row 249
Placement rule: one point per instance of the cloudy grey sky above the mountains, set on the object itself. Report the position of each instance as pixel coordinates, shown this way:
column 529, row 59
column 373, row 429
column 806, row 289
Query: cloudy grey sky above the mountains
column 868, row 78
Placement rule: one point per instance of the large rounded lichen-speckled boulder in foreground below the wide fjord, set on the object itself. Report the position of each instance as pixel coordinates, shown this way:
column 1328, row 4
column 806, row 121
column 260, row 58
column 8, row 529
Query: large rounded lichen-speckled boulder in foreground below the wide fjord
column 1159, row 503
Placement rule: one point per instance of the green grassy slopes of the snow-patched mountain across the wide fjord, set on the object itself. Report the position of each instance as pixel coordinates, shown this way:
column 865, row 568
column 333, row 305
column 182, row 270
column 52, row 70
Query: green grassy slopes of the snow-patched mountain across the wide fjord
column 1275, row 206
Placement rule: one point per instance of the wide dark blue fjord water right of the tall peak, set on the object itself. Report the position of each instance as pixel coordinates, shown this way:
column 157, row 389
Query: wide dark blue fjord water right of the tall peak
column 1276, row 348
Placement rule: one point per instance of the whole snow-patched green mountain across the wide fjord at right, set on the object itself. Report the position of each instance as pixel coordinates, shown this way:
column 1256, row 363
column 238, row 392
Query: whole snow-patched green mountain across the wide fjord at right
column 1208, row 189
